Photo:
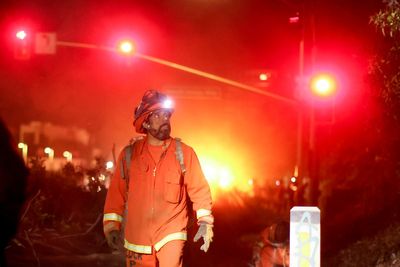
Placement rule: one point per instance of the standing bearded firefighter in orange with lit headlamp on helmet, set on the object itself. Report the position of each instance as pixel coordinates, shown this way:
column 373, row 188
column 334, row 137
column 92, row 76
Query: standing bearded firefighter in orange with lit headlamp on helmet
column 155, row 179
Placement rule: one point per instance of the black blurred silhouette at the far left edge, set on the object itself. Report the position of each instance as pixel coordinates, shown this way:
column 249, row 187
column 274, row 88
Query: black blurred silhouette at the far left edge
column 13, row 181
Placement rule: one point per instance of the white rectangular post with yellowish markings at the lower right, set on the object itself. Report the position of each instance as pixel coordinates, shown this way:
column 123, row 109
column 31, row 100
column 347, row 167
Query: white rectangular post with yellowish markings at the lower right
column 305, row 237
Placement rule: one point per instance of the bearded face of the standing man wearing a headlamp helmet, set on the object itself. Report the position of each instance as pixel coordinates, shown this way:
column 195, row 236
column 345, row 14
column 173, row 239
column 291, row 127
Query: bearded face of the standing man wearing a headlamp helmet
column 160, row 126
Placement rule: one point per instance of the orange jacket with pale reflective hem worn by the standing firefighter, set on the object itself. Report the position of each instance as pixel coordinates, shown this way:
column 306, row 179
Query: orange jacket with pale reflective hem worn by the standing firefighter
column 156, row 202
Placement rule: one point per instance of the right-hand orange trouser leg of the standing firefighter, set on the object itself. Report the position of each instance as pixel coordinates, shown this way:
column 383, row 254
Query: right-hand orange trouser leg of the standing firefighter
column 171, row 254
